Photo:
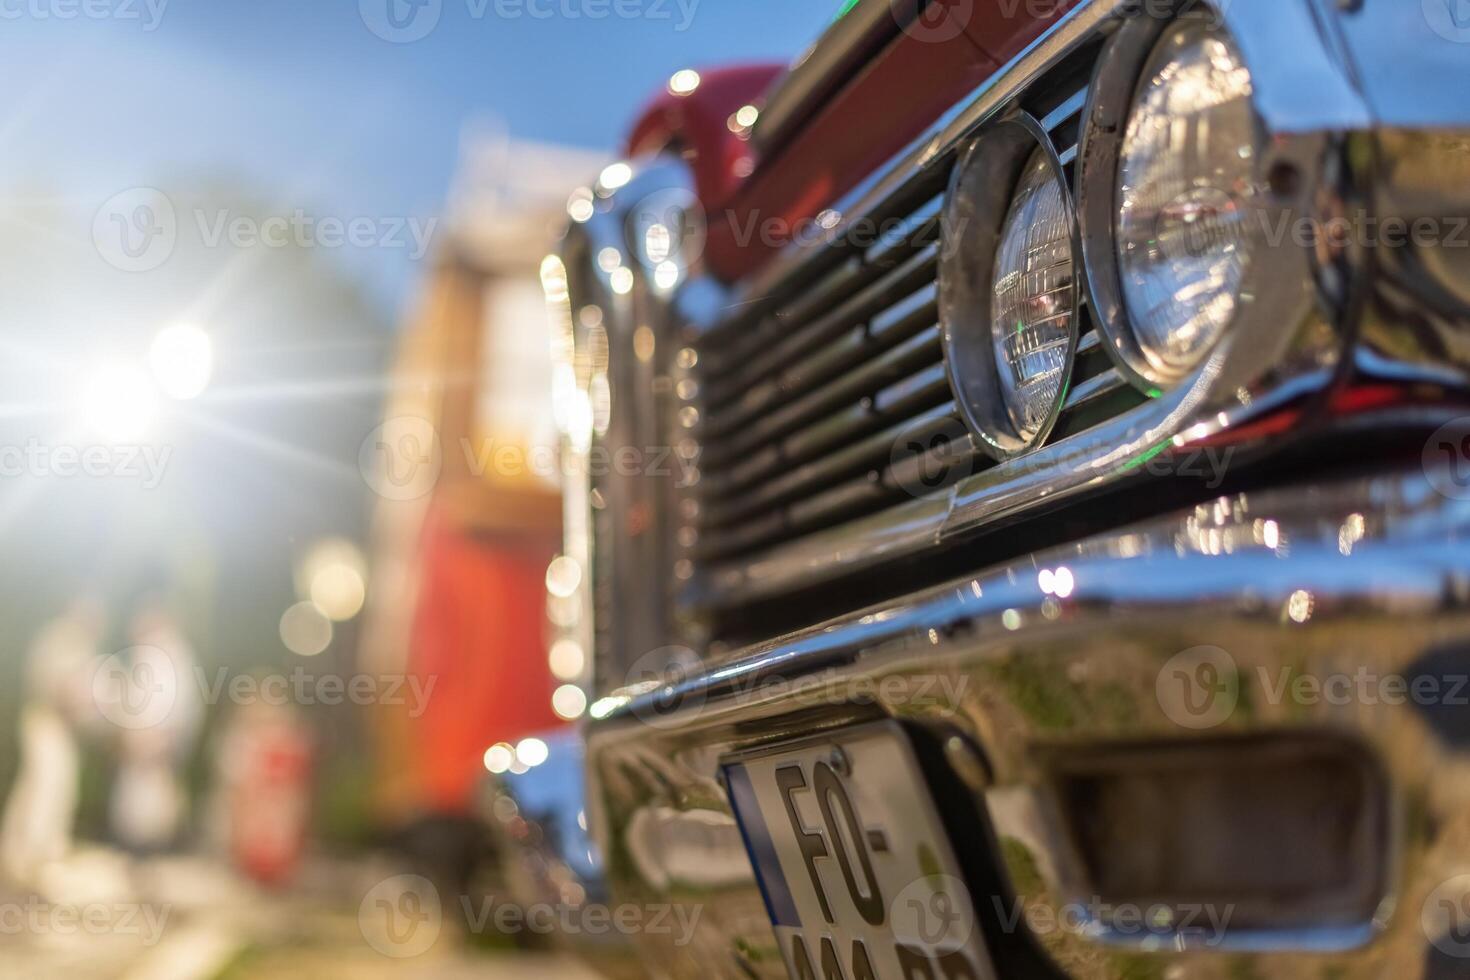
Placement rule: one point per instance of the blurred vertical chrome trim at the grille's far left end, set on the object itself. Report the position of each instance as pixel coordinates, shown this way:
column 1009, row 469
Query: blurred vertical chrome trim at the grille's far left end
column 633, row 462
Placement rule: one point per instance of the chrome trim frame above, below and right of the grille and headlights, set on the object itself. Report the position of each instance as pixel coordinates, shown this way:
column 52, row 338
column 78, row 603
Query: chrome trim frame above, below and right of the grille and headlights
column 1290, row 349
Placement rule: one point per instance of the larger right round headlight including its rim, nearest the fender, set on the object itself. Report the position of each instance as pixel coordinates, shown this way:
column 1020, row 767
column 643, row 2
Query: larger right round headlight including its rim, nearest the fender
column 1171, row 199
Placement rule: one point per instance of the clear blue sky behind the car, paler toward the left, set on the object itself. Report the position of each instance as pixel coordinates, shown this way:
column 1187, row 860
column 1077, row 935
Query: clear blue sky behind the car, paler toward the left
column 302, row 104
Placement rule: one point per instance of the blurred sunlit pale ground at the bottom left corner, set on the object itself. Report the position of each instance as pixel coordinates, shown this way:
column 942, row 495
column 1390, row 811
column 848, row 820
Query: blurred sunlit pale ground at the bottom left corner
column 192, row 920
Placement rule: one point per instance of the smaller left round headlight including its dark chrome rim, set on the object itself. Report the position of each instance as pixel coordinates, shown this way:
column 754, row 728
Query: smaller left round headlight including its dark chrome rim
column 1009, row 286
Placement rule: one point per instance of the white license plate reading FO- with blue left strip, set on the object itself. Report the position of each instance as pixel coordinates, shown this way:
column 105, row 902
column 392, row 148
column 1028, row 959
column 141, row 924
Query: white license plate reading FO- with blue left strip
column 853, row 862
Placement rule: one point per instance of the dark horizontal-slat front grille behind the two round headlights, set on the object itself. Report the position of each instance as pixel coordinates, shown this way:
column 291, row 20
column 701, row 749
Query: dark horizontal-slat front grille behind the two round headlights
column 806, row 399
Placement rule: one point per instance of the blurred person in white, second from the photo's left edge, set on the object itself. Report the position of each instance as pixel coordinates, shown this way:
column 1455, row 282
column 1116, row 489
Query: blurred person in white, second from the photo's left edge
column 149, row 800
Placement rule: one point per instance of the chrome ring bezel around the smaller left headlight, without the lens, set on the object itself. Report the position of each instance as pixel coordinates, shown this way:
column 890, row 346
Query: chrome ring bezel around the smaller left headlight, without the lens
column 977, row 208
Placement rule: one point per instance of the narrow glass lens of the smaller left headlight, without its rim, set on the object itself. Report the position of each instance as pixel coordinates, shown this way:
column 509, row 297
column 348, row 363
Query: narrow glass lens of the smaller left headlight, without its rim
column 1031, row 298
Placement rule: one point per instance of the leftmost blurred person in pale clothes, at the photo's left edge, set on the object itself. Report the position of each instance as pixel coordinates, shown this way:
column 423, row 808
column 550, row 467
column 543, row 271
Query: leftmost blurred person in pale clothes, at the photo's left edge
column 42, row 810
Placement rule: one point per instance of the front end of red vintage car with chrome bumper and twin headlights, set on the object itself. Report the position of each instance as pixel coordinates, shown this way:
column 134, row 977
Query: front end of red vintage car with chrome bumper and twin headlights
column 1039, row 553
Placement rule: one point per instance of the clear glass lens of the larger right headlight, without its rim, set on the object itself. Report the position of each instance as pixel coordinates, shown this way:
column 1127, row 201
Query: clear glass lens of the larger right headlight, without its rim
column 1186, row 196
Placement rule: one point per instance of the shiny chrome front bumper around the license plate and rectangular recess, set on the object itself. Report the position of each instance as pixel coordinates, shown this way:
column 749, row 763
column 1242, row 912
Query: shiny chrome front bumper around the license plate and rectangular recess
column 1064, row 652
